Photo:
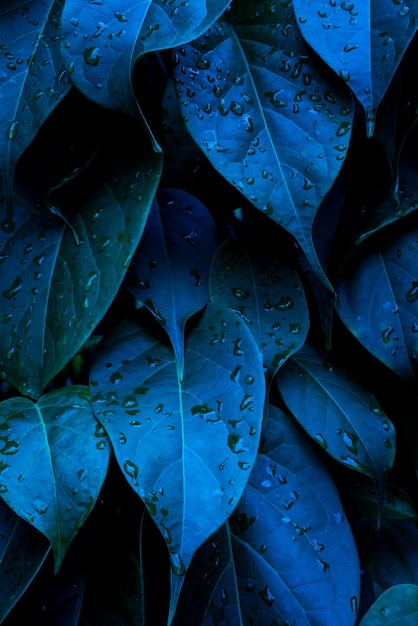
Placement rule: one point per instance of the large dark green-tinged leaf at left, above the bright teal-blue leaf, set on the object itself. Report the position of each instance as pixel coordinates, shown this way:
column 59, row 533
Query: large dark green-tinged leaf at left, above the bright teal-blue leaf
column 53, row 292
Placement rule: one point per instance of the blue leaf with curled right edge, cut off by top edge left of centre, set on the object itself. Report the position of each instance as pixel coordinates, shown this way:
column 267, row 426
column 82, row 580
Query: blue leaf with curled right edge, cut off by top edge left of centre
column 103, row 40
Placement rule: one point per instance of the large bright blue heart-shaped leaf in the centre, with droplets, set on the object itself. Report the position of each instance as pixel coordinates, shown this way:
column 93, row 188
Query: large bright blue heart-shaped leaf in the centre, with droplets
column 185, row 445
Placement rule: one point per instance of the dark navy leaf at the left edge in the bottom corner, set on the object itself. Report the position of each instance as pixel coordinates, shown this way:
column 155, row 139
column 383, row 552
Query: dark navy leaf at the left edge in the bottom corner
column 21, row 557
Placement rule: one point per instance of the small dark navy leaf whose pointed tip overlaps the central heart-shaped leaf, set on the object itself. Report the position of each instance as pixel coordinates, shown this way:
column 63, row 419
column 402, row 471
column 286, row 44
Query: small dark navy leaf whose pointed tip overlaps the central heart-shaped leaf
column 169, row 271
